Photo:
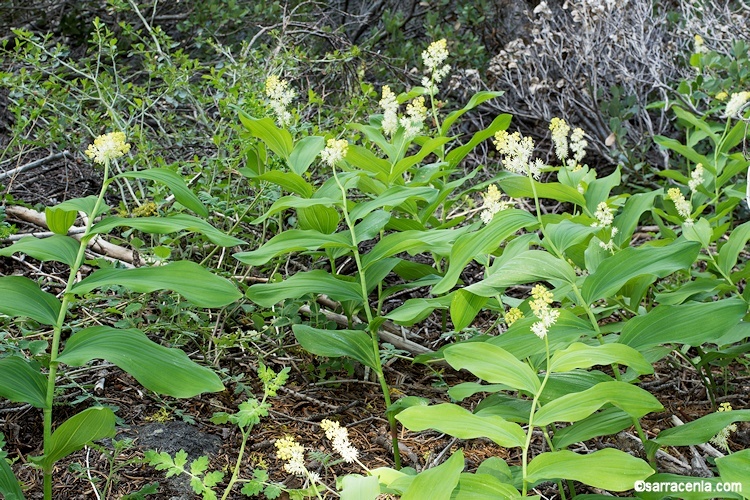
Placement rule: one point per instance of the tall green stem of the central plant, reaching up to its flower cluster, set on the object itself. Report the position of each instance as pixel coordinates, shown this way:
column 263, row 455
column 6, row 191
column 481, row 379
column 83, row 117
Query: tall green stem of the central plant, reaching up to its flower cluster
column 372, row 331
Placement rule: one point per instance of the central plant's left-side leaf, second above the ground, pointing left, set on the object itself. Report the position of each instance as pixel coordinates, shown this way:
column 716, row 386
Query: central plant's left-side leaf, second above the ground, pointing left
column 300, row 284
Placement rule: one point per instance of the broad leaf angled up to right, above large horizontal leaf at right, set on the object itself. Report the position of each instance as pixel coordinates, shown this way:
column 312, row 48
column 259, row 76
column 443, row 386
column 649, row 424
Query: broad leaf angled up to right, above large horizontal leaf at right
column 615, row 271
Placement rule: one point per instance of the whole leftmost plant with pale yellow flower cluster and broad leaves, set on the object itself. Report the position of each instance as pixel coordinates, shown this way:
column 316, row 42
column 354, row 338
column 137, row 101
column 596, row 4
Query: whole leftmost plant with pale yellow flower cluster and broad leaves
column 129, row 349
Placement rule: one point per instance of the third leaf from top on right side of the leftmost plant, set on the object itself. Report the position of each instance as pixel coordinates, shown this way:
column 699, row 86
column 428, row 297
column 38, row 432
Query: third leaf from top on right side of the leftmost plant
column 191, row 280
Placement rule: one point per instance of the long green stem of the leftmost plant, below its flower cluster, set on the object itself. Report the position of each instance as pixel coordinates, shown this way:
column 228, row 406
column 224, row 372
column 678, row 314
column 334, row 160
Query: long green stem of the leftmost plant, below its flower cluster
column 57, row 333
